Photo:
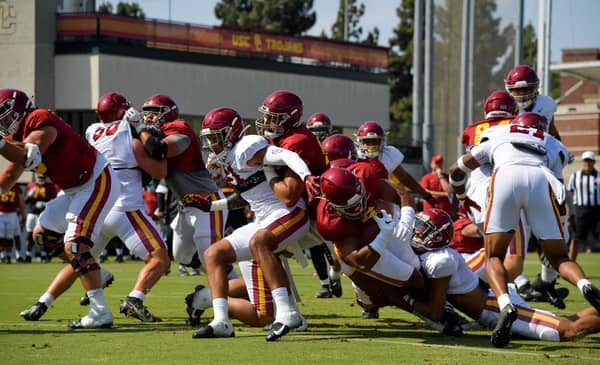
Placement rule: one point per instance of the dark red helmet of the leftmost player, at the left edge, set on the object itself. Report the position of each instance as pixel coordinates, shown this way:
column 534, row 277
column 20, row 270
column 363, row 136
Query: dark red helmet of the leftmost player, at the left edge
column 14, row 106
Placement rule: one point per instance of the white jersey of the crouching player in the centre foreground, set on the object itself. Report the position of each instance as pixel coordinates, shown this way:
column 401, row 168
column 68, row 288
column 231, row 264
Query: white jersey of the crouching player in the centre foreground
column 236, row 171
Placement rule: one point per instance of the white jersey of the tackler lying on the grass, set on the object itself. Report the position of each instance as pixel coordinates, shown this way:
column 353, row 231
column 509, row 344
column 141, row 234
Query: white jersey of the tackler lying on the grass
column 446, row 262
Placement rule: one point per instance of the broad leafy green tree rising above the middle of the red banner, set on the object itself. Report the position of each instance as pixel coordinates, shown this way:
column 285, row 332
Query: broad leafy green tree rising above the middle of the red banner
column 286, row 17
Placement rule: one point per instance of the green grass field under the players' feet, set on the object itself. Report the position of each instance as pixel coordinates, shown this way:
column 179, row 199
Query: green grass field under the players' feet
column 336, row 332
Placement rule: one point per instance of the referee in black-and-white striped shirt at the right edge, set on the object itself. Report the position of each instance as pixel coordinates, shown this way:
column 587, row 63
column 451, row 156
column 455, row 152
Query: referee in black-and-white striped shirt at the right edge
column 584, row 186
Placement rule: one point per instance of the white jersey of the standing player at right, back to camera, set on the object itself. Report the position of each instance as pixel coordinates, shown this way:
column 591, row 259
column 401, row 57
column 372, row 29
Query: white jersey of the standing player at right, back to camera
column 515, row 145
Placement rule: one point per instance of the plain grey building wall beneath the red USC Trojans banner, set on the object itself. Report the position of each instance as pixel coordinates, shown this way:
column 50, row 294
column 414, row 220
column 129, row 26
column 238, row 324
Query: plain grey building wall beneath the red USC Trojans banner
column 197, row 88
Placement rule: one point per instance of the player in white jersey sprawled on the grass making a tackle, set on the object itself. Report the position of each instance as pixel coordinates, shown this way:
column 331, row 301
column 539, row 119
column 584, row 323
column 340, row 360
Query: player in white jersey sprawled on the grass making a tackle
column 449, row 279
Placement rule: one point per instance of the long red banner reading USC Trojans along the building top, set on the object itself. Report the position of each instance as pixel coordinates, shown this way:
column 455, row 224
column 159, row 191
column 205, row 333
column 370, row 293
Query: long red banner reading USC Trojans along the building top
column 195, row 38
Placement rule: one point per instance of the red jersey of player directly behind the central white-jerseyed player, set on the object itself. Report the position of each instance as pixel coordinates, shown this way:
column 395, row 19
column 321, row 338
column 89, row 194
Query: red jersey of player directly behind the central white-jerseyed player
column 305, row 144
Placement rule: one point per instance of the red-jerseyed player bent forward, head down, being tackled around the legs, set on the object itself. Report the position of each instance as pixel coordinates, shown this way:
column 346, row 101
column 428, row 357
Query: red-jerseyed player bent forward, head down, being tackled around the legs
column 367, row 243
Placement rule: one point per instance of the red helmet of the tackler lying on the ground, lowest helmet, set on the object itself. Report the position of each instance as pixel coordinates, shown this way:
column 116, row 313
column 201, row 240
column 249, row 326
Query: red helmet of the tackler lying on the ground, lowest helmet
column 433, row 229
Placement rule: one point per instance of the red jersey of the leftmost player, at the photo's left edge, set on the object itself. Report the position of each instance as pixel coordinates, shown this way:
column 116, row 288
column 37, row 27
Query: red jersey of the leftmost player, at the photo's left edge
column 69, row 160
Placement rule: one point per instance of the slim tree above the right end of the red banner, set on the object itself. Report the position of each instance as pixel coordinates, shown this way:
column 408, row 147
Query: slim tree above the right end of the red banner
column 355, row 12
